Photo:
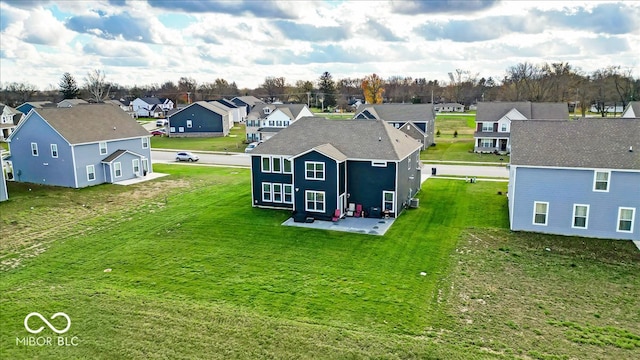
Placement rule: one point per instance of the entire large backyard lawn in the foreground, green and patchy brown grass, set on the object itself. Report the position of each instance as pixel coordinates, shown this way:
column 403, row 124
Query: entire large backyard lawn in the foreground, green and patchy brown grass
column 198, row 273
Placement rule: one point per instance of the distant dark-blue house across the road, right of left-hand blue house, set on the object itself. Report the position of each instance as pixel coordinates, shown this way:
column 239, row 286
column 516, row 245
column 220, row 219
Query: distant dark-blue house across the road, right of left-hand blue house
column 200, row 119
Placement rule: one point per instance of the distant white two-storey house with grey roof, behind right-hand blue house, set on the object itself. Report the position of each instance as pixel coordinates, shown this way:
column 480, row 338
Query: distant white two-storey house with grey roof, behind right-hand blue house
column 493, row 121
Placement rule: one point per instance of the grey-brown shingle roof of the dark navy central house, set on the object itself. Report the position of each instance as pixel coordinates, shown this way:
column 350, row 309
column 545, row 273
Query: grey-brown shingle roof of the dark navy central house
column 356, row 139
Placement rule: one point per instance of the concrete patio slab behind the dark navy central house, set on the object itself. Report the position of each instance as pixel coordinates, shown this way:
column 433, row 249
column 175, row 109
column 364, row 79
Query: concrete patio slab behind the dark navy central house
column 369, row 226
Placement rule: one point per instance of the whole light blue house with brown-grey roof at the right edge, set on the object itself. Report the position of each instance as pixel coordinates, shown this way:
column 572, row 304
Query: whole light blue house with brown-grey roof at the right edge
column 579, row 178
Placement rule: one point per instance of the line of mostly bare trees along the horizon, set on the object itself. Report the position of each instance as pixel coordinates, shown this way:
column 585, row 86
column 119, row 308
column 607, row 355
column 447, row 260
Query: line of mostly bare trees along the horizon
column 554, row 82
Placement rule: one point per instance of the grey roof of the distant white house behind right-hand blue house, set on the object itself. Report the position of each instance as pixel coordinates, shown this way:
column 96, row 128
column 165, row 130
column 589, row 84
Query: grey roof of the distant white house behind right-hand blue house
column 494, row 111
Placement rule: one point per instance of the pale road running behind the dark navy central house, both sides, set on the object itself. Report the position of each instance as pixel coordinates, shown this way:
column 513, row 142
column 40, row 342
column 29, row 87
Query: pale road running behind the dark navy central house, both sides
column 241, row 159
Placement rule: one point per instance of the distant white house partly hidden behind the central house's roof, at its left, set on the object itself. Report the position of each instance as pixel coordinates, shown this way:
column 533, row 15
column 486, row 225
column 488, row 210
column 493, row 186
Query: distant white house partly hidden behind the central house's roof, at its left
column 265, row 120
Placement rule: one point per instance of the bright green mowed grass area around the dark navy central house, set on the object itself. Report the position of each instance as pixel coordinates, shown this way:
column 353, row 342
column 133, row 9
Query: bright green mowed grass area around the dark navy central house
column 206, row 247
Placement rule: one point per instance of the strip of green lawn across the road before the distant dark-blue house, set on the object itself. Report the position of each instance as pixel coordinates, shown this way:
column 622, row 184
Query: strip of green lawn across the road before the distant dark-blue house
column 232, row 143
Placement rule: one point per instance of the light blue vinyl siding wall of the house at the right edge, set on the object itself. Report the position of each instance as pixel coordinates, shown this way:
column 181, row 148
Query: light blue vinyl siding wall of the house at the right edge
column 562, row 188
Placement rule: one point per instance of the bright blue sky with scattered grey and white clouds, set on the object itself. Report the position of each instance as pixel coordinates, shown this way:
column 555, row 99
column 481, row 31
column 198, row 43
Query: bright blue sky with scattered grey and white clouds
column 141, row 42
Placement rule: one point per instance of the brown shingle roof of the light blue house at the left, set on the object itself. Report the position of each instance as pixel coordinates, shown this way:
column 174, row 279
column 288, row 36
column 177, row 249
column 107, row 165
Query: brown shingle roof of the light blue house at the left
column 90, row 123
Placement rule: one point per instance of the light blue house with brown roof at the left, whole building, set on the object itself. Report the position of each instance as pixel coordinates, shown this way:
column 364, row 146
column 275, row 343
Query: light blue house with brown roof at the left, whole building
column 79, row 146
